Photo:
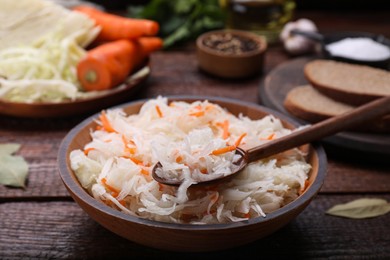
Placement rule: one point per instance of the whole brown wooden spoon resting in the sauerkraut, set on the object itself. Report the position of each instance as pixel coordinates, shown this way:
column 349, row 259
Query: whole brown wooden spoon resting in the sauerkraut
column 371, row 110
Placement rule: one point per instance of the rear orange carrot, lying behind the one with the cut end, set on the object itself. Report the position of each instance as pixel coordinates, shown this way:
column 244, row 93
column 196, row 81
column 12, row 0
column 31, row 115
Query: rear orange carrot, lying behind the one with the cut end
column 115, row 27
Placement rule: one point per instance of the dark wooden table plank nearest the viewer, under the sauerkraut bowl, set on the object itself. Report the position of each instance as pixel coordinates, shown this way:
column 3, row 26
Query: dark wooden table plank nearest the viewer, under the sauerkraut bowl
column 61, row 230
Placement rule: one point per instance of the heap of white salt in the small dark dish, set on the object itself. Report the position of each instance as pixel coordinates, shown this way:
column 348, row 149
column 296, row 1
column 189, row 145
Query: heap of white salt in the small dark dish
column 359, row 49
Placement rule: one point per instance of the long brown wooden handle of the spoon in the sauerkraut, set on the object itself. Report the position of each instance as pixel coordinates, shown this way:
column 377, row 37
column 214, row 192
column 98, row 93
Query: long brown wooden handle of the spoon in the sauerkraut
column 322, row 129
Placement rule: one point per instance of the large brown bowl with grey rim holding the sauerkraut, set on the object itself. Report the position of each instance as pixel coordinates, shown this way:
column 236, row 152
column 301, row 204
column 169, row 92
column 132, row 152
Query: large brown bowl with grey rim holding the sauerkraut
column 188, row 237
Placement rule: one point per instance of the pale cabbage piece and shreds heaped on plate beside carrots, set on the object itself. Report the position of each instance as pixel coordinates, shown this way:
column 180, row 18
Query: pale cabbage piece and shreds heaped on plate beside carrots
column 40, row 65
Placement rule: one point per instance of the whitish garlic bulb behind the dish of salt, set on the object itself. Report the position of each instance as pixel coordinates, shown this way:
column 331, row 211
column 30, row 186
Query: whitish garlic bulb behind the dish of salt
column 297, row 44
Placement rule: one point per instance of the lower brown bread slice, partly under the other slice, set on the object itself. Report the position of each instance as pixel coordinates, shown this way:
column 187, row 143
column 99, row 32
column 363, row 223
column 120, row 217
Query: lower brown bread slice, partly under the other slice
column 307, row 103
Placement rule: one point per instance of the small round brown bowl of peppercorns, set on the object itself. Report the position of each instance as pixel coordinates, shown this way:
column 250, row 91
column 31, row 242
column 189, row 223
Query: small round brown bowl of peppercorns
column 223, row 62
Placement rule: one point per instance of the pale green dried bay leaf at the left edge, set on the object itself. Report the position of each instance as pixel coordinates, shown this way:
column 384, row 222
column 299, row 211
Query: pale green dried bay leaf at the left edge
column 13, row 168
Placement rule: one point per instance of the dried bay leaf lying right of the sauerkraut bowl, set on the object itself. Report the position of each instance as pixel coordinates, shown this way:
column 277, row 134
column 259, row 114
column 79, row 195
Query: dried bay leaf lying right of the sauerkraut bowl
column 361, row 208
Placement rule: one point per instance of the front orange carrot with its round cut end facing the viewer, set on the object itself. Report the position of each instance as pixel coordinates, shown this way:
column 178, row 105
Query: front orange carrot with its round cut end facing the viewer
column 109, row 64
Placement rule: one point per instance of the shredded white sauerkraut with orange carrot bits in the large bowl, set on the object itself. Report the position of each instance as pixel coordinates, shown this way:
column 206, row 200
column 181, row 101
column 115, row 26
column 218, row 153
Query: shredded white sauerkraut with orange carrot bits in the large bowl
column 115, row 167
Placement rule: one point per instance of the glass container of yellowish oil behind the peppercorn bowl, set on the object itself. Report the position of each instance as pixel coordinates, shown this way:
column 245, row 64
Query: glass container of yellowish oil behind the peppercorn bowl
column 265, row 17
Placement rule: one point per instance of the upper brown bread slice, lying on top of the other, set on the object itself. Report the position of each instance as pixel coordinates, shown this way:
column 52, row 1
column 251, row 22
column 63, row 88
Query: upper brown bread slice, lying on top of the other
column 348, row 83
